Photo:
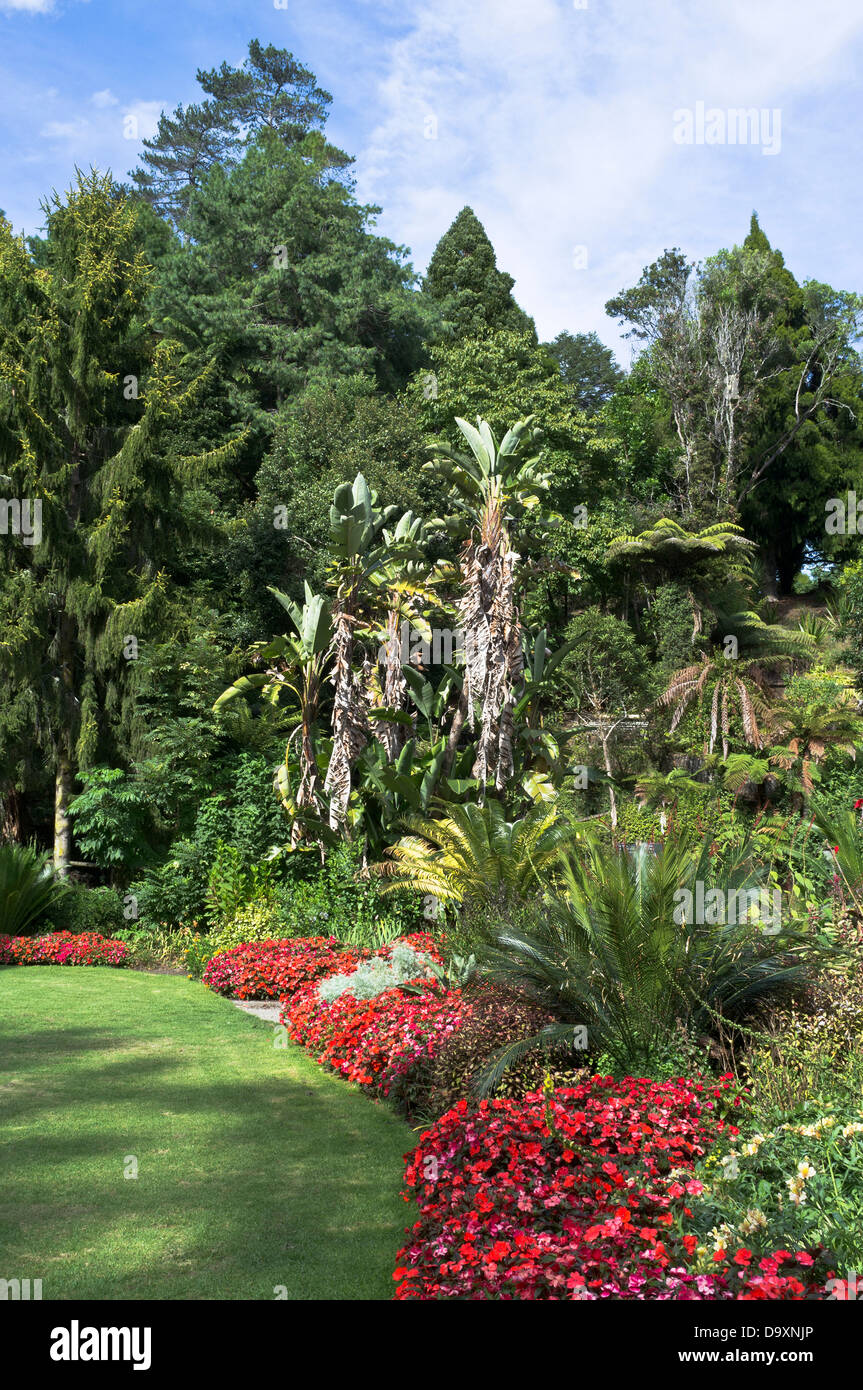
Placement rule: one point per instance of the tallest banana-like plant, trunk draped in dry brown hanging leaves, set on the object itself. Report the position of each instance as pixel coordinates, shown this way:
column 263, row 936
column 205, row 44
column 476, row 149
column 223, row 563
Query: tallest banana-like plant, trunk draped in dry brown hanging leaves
column 491, row 491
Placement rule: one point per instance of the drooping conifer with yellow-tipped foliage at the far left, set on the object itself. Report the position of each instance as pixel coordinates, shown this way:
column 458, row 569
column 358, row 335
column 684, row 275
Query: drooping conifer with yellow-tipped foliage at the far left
column 85, row 445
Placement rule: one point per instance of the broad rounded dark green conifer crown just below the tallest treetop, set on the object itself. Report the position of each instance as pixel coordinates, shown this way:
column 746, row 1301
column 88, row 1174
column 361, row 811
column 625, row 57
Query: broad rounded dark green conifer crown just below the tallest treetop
column 284, row 280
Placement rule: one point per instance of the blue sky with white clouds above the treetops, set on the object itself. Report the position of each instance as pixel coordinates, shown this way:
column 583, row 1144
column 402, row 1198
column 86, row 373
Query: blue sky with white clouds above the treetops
column 555, row 120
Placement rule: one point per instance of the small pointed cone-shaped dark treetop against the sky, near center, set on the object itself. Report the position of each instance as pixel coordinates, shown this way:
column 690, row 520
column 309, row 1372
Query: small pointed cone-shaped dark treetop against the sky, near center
column 463, row 279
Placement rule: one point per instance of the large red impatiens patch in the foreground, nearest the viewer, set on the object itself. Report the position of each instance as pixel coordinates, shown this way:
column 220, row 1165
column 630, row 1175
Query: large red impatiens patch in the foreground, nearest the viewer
column 576, row 1197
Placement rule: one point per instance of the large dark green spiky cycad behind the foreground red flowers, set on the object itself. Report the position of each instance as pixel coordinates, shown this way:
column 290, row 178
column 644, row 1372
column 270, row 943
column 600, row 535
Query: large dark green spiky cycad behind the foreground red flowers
column 618, row 951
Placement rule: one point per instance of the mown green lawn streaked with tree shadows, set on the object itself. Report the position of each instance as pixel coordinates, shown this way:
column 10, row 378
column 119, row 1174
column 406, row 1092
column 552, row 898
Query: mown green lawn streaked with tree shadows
column 256, row 1168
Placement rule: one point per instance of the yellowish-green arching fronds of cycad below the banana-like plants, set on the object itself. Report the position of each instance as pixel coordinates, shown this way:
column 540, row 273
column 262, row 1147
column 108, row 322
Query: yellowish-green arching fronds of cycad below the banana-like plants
column 475, row 854
